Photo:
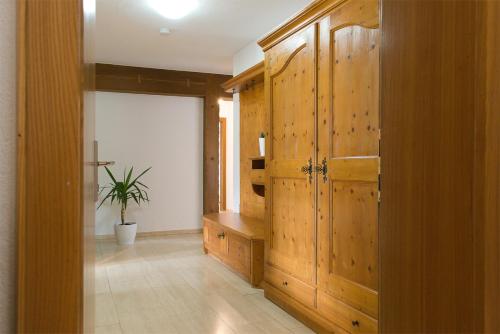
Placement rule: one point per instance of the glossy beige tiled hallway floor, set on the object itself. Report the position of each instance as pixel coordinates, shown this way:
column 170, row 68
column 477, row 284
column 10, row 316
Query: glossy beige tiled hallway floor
column 167, row 285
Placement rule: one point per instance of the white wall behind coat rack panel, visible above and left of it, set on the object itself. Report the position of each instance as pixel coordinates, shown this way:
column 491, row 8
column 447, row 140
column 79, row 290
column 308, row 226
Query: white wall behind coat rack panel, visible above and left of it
column 247, row 57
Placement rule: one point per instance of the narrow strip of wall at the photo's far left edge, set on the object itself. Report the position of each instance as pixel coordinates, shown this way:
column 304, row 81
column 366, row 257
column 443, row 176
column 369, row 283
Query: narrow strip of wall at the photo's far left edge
column 7, row 165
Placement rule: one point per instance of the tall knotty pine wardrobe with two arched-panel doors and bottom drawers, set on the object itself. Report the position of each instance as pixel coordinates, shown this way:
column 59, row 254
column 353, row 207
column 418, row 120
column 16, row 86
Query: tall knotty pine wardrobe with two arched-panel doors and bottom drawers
column 322, row 170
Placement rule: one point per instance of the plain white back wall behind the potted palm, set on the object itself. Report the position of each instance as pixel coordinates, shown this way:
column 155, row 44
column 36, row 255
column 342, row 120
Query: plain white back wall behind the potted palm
column 165, row 132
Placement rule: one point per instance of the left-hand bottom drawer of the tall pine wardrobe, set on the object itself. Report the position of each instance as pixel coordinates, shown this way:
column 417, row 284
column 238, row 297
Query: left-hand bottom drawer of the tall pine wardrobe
column 291, row 286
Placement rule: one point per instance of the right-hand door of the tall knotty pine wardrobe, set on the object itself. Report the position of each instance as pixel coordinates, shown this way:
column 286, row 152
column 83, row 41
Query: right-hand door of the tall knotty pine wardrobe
column 348, row 140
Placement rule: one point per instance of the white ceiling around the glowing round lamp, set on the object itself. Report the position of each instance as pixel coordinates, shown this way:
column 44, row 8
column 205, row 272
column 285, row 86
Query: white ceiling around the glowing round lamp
column 204, row 41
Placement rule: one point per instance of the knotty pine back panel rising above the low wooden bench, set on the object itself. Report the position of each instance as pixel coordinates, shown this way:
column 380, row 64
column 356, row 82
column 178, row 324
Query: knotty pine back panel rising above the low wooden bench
column 252, row 123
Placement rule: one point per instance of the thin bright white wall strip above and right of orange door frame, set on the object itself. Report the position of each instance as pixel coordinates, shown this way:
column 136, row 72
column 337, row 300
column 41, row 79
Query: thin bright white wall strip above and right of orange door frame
column 226, row 111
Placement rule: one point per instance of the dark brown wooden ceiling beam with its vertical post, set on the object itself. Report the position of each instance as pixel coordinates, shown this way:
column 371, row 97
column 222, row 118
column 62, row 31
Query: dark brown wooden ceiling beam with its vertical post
column 139, row 80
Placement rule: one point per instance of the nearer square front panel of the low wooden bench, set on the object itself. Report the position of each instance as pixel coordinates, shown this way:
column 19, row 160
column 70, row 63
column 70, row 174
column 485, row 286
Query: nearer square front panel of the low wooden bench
column 239, row 254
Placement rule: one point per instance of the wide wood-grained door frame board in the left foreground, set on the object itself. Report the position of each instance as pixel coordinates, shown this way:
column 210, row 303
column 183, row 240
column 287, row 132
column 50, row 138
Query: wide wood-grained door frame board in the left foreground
column 50, row 200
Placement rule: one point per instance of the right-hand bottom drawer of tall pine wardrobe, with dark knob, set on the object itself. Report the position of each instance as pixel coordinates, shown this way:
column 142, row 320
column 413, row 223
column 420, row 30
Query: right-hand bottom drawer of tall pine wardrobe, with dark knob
column 345, row 316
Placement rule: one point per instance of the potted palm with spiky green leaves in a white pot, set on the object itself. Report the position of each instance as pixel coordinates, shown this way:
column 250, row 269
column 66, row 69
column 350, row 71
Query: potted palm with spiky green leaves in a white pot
column 121, row 192
